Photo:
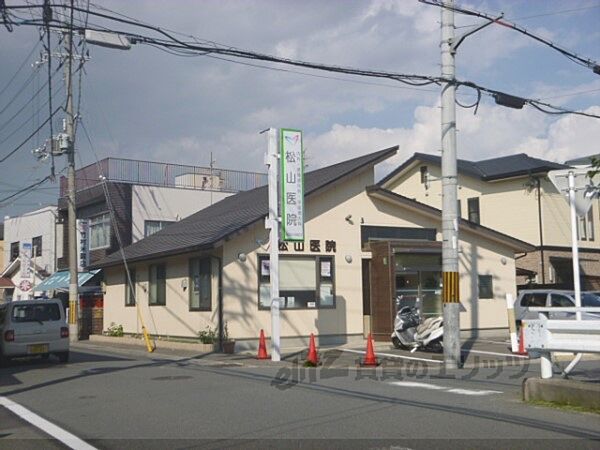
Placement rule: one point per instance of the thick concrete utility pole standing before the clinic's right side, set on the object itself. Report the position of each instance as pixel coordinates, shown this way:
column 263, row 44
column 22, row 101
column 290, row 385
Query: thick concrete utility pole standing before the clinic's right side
column 450, row 287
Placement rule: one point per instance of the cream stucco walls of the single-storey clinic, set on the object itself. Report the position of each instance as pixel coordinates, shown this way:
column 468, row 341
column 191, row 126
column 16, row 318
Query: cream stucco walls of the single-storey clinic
column 325, row 220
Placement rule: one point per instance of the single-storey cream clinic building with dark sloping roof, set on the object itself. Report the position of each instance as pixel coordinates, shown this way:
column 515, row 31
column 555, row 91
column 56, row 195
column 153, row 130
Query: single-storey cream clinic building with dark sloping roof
column 364, row 246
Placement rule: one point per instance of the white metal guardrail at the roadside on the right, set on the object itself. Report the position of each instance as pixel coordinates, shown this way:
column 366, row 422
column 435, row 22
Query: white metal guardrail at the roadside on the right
column 545, row 335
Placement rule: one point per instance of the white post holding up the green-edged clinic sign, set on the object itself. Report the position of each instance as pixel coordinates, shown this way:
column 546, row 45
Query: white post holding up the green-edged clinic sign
column 273, row 224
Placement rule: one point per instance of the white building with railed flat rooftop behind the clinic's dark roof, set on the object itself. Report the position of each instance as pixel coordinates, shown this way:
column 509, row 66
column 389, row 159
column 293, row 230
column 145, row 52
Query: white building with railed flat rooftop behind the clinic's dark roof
column 144, row 197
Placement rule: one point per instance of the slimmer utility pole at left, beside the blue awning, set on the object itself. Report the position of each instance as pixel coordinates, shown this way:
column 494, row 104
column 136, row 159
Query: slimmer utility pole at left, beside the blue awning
column 72, row 221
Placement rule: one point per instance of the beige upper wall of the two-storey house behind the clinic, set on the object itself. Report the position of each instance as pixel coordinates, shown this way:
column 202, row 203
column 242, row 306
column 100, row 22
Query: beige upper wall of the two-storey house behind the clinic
column 506, row 206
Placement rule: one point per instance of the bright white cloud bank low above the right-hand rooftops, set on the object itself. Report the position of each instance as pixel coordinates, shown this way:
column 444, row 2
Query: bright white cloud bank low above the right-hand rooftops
column 494, row 131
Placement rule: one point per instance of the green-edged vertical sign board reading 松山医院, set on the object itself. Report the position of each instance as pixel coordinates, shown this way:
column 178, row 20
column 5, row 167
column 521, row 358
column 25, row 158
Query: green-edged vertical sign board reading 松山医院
column 292, row 185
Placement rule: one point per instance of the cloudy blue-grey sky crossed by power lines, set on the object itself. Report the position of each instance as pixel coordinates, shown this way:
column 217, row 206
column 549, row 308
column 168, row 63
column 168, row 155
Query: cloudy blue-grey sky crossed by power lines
column 146, row 104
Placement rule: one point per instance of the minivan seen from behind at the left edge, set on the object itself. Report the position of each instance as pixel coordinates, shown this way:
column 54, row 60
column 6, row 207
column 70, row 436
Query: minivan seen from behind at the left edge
column 33, row 327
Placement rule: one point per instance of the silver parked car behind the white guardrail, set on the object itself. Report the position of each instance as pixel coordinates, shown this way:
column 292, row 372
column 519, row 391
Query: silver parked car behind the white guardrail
column 553, row 298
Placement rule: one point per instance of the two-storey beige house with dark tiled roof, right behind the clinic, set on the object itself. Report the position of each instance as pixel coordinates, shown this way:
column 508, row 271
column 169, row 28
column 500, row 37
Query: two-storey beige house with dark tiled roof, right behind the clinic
column 513, row 195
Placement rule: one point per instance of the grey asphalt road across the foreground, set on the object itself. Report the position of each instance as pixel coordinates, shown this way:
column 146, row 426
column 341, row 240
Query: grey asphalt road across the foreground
column 122, row 398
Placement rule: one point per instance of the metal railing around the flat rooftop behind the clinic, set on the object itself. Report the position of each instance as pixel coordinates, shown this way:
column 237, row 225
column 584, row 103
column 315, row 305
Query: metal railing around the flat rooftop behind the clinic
column 150, row 173
